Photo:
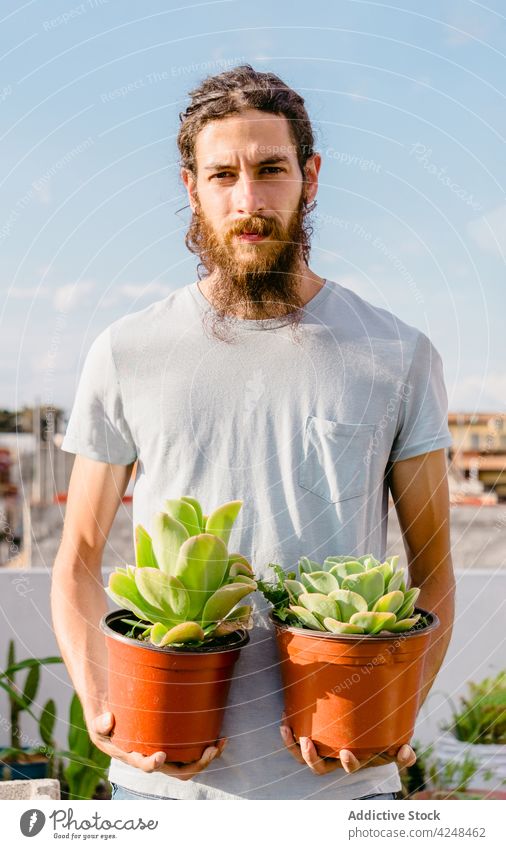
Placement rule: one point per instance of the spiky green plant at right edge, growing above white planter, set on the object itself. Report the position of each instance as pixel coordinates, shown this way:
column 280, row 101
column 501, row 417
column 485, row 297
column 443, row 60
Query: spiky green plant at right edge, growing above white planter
column 482, row 714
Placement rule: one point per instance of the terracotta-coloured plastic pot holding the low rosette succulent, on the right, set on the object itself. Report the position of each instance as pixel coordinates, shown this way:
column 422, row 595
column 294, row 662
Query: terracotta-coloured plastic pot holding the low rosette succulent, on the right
column 348, row 691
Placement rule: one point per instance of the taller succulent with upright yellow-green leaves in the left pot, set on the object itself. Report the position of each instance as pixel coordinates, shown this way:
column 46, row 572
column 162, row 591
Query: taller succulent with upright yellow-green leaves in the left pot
column 185, row 586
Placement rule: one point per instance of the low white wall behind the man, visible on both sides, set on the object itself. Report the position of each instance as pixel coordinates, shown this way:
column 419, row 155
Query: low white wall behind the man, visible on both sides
column 477, row 648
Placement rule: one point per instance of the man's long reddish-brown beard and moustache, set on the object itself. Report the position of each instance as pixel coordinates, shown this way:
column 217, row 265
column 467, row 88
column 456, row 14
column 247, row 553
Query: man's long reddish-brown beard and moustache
column 261, row 280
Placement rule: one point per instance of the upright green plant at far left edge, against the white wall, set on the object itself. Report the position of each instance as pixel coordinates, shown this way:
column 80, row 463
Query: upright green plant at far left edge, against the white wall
column 21, row 700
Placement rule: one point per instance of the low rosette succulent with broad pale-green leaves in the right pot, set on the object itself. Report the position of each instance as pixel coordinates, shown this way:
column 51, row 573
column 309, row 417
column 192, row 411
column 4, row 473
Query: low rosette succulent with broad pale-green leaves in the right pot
column 345, row 595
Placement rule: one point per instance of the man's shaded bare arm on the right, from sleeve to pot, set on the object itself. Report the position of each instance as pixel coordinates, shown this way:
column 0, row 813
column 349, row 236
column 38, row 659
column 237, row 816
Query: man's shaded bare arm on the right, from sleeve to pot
column 419, row 487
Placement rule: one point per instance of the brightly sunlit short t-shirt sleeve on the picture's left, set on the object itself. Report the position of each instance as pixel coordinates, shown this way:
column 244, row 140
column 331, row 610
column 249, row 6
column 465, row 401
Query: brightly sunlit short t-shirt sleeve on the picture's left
column 97, row 427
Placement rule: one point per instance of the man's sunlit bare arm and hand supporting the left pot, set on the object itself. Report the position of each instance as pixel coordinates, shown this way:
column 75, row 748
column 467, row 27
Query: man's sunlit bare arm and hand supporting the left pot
column 78, row 602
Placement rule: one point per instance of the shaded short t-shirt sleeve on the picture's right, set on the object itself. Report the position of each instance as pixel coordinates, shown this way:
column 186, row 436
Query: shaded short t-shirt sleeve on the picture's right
column 423, row 414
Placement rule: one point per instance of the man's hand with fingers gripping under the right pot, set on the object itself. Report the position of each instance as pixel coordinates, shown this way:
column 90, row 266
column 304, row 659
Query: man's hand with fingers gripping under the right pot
column 305, row 752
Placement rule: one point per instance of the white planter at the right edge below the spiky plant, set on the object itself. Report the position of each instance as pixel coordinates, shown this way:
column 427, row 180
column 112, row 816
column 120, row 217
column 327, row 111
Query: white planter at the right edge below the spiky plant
column 489, row 757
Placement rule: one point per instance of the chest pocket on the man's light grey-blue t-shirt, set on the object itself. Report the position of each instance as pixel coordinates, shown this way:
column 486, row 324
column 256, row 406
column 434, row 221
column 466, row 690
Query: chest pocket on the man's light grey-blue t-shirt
column 336, row 459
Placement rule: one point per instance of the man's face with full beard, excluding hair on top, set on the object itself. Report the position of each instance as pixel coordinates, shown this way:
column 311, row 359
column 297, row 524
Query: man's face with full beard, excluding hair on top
column 249, row 208
